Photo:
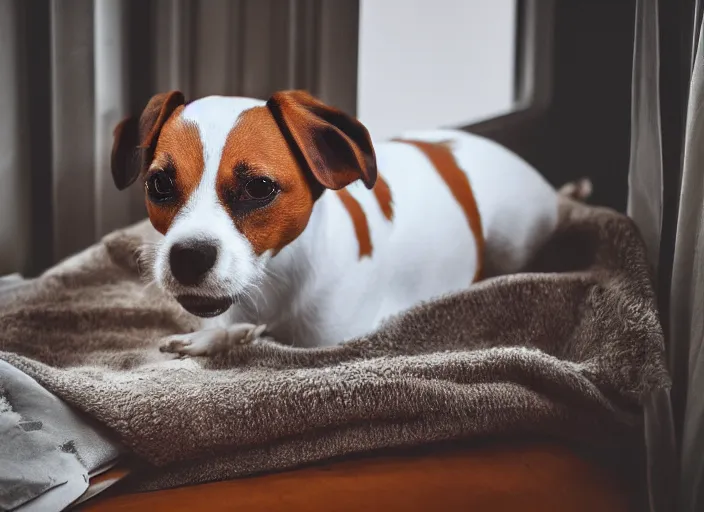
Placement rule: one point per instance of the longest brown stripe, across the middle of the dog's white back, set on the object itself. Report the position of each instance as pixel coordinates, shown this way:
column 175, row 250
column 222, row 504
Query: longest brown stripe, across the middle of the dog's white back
column 445, row 164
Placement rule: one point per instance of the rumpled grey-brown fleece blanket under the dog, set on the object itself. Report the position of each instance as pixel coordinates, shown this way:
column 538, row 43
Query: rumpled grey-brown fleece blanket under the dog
column 570, row 348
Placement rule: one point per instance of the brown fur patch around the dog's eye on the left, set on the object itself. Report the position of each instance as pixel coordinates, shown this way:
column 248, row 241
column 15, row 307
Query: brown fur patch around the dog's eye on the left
column 180, row 147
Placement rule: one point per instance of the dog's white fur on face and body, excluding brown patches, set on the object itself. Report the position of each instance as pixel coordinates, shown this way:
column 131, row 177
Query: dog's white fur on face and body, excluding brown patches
column 317, row 291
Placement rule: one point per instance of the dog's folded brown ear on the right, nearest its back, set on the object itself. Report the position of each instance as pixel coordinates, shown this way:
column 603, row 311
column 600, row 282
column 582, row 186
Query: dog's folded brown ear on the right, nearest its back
column 333, row 145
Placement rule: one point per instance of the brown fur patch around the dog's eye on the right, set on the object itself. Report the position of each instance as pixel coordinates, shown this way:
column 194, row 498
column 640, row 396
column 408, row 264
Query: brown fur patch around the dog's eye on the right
column 257, row 142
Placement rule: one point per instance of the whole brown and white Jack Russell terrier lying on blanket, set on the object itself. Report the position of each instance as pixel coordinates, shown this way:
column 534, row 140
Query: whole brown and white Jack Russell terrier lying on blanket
column 284, row 213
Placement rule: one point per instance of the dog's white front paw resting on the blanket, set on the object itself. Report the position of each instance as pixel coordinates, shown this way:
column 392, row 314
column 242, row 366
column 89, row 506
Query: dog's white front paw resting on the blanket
column 210, row 342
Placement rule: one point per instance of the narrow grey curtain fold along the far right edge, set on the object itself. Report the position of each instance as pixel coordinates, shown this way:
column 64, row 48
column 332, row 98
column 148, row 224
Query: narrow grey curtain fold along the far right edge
column 687, row 292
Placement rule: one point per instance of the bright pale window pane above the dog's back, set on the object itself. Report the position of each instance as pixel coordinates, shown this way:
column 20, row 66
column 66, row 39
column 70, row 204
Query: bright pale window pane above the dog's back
column 432, row 63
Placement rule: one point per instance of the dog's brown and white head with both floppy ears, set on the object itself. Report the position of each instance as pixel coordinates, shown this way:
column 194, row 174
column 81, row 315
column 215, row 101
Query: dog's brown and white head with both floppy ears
column 231, row 181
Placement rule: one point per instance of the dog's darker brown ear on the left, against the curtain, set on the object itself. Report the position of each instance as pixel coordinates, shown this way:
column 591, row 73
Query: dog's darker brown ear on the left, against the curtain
column 134, row 140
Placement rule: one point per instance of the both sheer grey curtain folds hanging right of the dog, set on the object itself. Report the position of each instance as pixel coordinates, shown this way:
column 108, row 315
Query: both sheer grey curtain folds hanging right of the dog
column 674, row 434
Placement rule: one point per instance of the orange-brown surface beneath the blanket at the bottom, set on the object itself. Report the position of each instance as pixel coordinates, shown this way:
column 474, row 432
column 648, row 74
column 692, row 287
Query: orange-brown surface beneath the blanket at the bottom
column 526, row 477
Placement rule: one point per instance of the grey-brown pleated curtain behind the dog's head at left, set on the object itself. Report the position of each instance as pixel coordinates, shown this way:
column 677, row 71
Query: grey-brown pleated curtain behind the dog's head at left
column 71, row 69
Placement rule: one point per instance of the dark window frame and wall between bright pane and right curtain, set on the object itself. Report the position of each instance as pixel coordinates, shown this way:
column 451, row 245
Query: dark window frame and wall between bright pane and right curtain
column 573, row 94
